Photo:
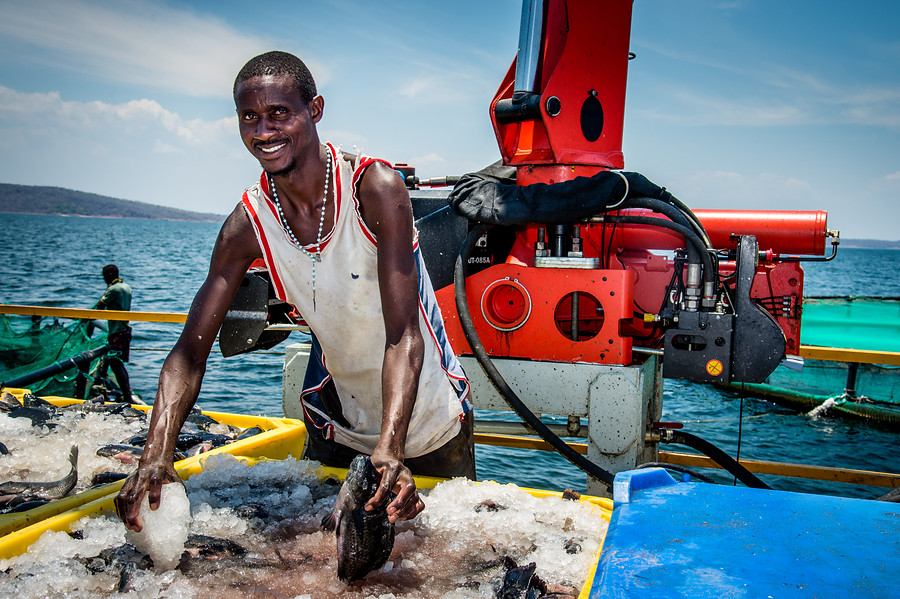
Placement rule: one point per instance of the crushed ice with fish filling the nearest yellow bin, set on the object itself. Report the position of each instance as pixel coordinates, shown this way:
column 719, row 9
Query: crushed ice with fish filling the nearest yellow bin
column 454, row 549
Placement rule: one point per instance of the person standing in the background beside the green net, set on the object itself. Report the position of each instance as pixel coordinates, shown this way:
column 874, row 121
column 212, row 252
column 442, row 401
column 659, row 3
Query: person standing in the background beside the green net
column 116, row 297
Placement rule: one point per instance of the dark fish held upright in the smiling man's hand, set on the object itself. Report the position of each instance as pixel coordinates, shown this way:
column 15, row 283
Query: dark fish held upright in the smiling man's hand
column 364, row 539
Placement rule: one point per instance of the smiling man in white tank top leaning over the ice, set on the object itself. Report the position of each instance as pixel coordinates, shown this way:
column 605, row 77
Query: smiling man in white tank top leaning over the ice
column 337, row 235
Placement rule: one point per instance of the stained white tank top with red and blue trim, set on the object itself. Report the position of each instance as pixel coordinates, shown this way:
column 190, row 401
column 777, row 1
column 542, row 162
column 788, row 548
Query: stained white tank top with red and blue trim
column 348, row 324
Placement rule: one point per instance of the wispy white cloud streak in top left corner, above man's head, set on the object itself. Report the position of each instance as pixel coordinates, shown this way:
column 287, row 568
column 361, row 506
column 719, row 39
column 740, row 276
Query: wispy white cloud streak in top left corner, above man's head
column 132, row 42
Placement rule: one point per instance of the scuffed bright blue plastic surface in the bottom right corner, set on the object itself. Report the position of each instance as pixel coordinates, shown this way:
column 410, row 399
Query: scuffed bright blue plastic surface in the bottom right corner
column 670, row 539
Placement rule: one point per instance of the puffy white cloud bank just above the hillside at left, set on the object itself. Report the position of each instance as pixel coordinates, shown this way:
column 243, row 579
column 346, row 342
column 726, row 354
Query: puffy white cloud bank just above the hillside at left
column 136, row 150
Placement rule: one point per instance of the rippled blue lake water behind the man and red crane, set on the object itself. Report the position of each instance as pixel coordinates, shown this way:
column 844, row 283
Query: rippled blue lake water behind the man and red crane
column 56, row 261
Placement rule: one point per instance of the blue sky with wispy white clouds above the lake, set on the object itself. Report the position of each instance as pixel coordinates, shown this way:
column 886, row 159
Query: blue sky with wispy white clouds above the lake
column 730, row 104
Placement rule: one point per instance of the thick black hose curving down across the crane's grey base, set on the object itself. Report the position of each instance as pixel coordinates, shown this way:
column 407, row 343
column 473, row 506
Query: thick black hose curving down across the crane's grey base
column 468, row 326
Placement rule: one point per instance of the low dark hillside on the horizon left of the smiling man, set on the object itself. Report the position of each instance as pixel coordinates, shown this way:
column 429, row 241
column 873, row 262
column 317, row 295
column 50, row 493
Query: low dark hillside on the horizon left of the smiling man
column 29, row 199
